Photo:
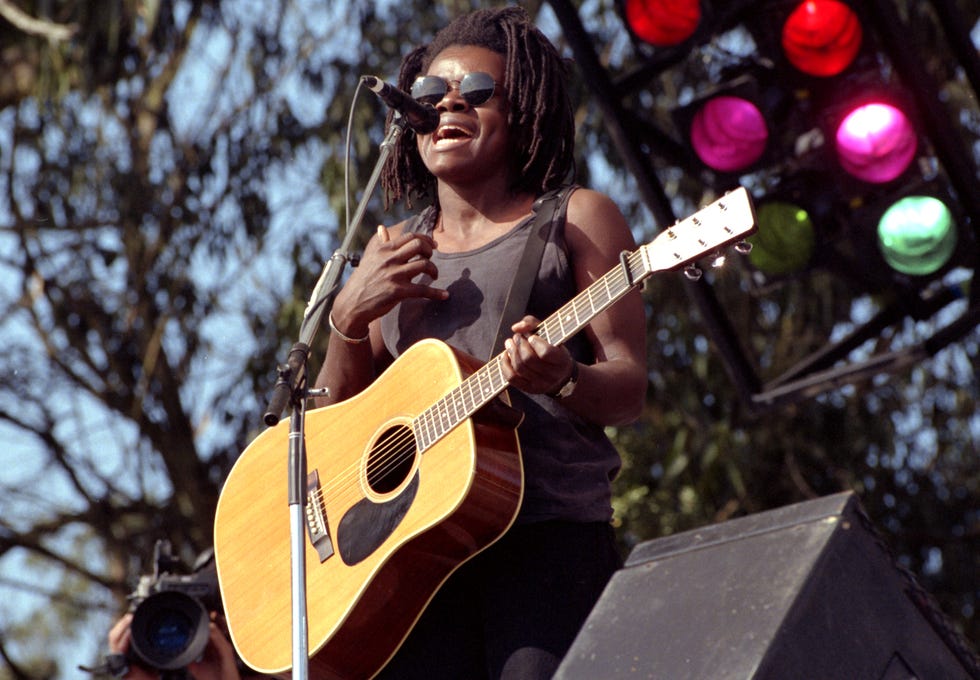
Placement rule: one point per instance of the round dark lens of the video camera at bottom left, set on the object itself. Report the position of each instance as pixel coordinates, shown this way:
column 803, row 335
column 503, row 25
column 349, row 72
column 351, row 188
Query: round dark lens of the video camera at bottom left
column 169, row 630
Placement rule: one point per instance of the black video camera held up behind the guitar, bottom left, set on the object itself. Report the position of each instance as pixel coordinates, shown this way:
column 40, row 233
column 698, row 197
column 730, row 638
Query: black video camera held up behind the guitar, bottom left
column 171, row 611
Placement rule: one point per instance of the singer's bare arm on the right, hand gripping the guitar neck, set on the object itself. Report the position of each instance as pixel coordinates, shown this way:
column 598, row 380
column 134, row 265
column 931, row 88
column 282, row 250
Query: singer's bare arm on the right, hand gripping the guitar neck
column 611, row 391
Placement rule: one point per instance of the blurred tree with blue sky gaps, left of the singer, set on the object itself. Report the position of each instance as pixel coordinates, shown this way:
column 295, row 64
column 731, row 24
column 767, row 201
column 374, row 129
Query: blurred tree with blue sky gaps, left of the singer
column 171, row 177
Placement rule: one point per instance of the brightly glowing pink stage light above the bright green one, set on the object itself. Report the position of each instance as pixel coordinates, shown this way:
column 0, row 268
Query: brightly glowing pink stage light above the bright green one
column 876, row 142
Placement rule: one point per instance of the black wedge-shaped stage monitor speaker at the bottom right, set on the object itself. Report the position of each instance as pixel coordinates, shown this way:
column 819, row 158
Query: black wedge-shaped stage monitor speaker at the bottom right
column 805, row 592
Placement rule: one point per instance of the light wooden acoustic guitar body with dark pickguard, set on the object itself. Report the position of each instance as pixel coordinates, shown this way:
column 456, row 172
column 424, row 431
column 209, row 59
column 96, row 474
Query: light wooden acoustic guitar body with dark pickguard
column 392, row 539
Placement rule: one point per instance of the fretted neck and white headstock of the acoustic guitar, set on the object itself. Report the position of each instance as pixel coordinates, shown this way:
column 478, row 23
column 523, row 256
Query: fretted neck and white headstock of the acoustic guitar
column 727, row 220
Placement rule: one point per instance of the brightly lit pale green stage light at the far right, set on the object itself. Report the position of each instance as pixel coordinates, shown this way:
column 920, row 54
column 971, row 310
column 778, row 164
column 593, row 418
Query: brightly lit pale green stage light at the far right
column 917, row 235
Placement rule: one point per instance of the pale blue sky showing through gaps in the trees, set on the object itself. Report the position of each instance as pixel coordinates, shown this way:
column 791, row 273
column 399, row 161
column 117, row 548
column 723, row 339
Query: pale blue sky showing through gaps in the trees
column 298, row 202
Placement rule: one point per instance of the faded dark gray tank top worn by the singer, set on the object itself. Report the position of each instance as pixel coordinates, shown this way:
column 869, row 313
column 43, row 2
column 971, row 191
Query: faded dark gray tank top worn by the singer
column 569, row 463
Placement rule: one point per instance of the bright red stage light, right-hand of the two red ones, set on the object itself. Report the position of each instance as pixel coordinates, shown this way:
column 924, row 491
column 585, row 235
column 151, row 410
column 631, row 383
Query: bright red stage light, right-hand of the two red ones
column 822, row 37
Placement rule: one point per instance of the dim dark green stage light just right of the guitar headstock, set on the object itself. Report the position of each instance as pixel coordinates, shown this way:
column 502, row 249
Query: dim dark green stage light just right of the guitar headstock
column 784, row 242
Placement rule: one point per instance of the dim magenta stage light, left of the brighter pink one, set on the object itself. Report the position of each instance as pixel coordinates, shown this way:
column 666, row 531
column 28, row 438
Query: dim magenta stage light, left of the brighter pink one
column 729, row 133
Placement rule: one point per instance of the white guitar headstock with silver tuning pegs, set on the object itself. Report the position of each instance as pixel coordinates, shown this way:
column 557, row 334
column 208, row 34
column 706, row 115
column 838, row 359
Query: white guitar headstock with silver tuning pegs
column 728, row 220
